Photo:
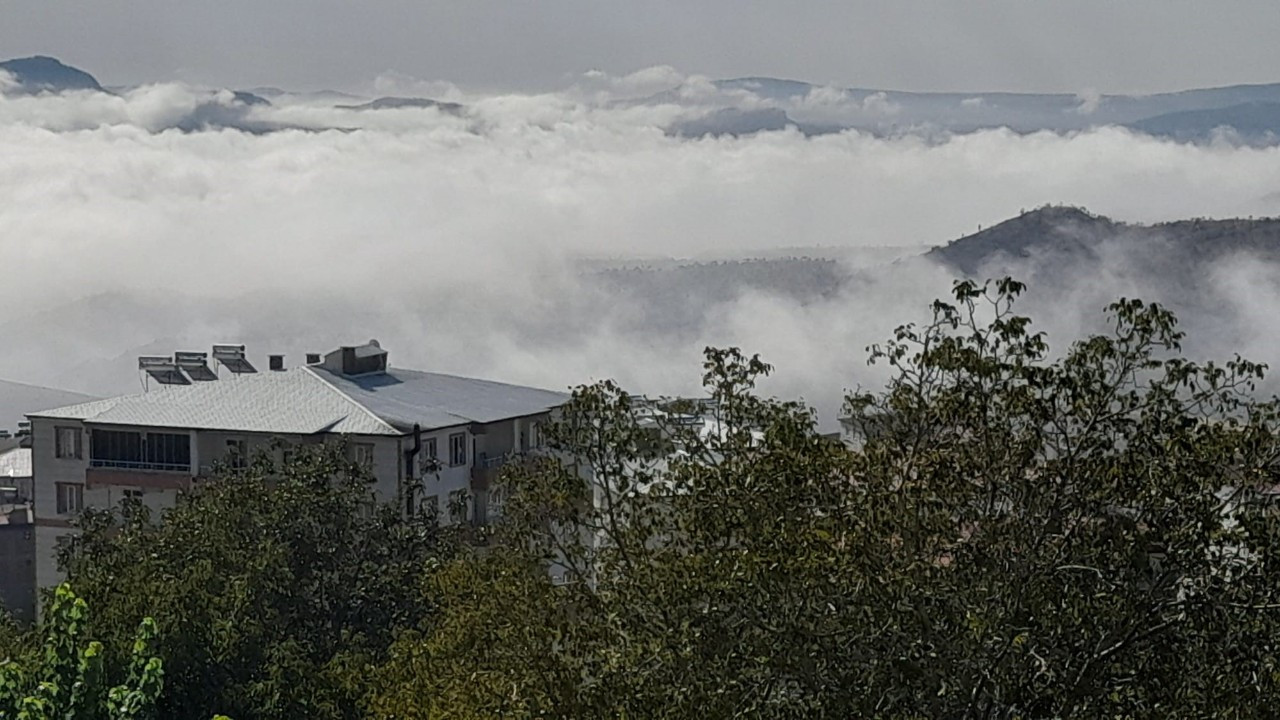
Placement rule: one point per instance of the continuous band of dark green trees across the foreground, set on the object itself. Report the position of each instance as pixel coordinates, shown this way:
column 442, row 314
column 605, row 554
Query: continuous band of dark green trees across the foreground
column 1017, row 535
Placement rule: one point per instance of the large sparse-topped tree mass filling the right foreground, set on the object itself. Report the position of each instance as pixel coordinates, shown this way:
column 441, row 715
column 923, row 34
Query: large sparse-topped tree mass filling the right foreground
column 1018, row 535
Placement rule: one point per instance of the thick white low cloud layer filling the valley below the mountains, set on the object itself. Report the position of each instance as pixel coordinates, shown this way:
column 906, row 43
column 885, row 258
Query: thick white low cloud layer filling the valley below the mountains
column 459, row 241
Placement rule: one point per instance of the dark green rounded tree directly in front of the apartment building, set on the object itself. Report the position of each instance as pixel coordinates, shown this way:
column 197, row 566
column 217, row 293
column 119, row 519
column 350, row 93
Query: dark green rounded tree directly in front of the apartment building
column 276, row 587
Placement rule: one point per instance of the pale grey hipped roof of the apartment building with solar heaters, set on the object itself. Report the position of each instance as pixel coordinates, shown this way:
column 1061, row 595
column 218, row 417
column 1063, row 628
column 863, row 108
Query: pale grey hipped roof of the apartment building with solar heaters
column 314, row 400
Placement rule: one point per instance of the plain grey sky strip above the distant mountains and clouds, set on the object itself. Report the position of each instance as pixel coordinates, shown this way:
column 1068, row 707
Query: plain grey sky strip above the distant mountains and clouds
column 977, row 45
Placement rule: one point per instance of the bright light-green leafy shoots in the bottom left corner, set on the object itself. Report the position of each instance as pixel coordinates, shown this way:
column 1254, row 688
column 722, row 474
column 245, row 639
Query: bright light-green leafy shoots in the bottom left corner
column 68, row 678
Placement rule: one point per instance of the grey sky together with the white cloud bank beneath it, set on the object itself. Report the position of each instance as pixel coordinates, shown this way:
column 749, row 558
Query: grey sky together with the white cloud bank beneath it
column 459, row 240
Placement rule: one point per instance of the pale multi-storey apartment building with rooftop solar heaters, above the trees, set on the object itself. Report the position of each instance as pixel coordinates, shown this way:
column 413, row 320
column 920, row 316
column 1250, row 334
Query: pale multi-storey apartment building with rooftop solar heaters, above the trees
column 156, row 445
